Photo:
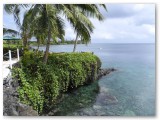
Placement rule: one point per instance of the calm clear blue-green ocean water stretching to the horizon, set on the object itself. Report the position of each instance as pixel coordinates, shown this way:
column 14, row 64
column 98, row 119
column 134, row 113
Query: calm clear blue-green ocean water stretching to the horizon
column 133, row 84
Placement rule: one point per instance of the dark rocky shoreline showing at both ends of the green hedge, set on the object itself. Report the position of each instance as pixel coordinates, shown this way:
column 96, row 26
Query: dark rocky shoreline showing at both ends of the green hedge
column 13, row 107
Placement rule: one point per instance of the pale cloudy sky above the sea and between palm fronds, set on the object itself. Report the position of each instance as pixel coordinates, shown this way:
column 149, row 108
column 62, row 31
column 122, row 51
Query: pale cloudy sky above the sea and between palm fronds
column 124, row 23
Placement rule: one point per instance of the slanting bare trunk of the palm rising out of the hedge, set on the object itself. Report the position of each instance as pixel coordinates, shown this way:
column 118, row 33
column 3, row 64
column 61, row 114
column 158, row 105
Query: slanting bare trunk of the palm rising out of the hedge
column 47, row 47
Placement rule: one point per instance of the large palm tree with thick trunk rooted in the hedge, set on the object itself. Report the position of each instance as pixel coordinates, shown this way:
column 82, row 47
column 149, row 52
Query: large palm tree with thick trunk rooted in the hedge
column 50, row 21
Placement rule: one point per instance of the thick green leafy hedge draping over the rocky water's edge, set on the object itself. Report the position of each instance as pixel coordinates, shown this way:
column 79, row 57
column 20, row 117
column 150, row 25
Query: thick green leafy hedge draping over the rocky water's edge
column 42, row 84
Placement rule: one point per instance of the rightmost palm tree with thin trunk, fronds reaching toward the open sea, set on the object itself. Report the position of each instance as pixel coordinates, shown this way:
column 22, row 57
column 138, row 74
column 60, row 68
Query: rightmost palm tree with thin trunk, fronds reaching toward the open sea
column 77, row 15
